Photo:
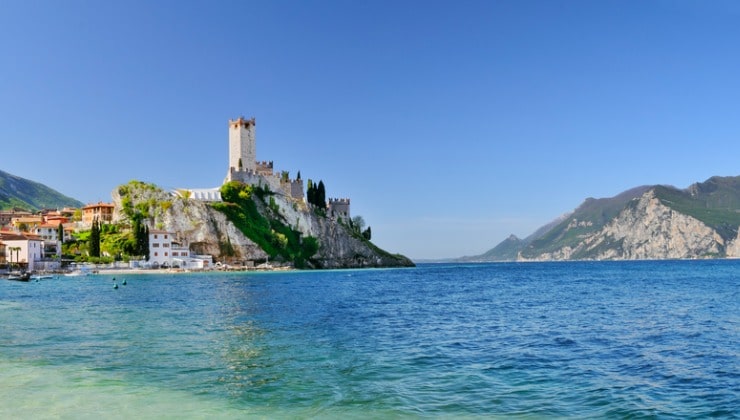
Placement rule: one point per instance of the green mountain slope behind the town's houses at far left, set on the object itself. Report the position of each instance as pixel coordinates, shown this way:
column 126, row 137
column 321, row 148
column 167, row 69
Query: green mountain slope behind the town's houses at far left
column 19, row 192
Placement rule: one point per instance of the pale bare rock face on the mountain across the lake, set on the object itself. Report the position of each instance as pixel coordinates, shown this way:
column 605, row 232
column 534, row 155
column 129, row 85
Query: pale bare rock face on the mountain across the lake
column 645, row 229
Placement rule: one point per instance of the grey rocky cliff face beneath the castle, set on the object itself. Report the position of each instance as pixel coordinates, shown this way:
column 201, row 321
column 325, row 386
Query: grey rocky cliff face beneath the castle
column 209, row 230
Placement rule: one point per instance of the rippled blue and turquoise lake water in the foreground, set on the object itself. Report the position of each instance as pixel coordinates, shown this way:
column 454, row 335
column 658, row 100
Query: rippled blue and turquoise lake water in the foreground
column 608, row 339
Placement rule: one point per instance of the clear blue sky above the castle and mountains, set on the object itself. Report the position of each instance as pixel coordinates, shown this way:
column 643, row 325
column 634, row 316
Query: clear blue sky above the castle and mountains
column 449, row 124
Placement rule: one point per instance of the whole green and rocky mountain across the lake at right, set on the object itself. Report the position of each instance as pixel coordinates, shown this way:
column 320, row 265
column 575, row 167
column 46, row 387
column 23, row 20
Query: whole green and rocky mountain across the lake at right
column 647, row 222
